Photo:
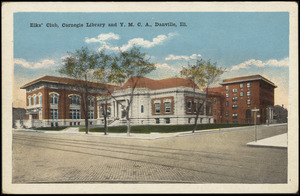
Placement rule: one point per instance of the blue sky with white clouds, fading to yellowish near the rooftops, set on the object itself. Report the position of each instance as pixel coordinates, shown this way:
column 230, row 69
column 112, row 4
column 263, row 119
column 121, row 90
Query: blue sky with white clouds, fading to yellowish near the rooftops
column 243, row 43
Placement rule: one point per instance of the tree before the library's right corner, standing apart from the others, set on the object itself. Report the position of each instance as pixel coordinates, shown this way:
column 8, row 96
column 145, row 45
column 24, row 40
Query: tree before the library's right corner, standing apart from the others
column 202, row 74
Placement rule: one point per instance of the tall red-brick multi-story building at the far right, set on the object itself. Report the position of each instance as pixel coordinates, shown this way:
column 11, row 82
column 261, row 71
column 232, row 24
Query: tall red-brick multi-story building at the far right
column 243, row 94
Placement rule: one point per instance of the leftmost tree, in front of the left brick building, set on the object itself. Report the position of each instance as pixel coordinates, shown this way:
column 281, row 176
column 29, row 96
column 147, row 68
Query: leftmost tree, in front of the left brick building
column 79, row 65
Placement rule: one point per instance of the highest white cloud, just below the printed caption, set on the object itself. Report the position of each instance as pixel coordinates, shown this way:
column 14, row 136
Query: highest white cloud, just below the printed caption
column 103, row 38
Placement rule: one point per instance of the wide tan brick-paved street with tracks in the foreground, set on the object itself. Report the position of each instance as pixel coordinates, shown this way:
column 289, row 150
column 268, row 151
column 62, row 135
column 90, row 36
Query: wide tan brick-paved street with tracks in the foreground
column 213, row 157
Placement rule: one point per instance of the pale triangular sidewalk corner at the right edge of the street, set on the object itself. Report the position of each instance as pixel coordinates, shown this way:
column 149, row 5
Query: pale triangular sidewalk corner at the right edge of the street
column 279, row 141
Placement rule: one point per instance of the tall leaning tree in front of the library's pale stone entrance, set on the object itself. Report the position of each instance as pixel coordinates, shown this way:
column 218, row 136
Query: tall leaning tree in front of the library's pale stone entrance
column 131, row 65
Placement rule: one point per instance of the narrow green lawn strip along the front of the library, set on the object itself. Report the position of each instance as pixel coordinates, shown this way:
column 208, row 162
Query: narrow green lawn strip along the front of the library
column 162, row 128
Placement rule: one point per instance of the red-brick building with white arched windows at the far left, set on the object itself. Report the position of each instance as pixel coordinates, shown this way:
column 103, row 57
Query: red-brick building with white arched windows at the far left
column 57, row 101
